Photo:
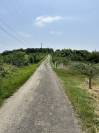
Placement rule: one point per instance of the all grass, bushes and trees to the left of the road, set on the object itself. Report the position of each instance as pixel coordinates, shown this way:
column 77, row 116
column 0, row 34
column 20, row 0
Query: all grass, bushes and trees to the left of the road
column 16, row 67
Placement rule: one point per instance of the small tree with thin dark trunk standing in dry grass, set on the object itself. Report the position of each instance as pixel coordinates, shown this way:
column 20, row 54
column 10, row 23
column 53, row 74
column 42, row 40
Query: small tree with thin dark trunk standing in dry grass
column 90, row 70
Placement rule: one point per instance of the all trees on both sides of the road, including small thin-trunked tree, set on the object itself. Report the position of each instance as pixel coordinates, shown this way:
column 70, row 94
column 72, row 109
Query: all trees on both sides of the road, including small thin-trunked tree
column 24, row 57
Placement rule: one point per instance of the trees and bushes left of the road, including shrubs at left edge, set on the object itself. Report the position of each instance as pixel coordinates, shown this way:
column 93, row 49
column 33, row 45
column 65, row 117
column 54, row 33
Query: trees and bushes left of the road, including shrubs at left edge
column 21, row 58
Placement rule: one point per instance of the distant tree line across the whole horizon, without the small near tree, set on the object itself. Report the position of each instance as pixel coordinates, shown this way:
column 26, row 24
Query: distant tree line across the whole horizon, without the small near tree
column 21, row 57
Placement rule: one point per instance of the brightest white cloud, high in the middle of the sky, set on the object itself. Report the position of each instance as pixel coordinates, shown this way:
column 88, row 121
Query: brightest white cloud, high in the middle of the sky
column 41, row 21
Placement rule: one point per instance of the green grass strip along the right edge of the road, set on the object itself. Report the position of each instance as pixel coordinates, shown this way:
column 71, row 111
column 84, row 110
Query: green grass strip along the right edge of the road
column 80, row 98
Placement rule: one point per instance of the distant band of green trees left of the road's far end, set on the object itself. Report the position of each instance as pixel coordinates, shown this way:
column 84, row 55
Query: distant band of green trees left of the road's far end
column 23, row 57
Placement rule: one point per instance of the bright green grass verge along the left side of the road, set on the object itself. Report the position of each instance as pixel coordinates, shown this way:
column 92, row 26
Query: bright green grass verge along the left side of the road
column 14, row 79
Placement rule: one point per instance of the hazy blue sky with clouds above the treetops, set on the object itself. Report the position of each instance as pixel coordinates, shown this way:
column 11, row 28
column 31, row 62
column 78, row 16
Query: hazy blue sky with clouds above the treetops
column 56, row 24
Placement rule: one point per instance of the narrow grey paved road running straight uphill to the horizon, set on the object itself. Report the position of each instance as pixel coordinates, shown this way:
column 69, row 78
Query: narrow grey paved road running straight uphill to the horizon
column 40, row 106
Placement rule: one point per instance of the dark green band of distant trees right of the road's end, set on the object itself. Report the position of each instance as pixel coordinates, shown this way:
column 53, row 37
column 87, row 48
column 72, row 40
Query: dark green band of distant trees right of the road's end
column 78, row 55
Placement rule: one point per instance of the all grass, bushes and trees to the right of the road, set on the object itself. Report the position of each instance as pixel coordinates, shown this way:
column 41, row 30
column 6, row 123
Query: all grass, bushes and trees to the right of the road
column 79, row 73
